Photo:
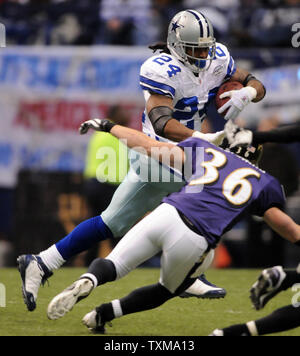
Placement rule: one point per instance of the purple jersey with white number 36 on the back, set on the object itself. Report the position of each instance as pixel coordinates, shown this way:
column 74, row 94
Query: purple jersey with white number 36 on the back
column 221, row 186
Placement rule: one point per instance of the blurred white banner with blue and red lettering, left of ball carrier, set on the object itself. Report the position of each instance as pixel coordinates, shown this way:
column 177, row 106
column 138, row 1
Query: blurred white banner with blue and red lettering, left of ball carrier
column 47, row 92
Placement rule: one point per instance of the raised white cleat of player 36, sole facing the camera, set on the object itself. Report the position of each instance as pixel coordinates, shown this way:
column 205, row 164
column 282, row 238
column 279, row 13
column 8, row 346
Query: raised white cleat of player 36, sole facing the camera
column 65, row 301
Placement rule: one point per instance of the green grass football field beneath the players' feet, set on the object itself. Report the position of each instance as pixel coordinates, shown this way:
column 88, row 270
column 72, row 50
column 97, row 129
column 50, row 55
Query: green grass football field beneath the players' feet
column 178, row 317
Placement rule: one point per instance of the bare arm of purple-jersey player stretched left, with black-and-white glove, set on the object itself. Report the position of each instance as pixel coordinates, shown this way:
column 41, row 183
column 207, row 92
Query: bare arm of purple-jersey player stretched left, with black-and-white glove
column 161, row 151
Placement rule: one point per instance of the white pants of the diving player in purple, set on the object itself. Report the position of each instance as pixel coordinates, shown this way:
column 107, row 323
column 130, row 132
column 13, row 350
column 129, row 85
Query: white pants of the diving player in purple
column 163, row 230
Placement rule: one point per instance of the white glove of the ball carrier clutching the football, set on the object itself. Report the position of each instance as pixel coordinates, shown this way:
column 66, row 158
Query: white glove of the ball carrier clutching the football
column 239, row 99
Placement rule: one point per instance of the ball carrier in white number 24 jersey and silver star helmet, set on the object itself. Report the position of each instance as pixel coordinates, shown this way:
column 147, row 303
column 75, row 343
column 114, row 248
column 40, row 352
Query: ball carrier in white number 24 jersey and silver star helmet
column 177, row 85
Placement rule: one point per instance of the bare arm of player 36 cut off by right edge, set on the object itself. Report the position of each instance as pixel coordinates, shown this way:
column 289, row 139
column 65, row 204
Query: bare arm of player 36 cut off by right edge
column 283, row 225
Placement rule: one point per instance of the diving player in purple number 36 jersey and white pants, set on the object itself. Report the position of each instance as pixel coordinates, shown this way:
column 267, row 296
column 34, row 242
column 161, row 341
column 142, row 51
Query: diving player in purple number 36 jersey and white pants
column 220, row 187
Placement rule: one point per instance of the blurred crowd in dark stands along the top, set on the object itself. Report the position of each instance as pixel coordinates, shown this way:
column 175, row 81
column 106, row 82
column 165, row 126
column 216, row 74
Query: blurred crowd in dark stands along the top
column 140, row 22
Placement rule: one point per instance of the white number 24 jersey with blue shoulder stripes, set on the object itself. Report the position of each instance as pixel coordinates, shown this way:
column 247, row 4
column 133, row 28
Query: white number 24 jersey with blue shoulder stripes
column 165, row 75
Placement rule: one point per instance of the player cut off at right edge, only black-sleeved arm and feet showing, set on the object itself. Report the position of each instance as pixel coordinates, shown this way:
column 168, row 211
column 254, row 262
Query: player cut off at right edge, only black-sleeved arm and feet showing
column 272, row 280
